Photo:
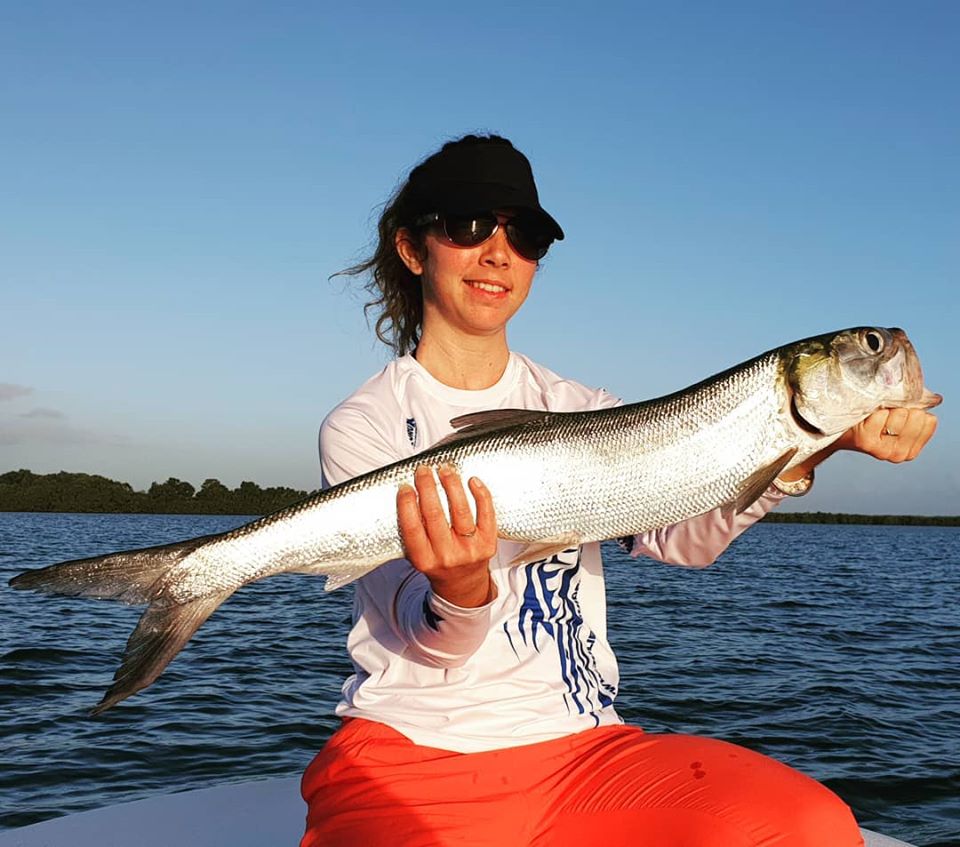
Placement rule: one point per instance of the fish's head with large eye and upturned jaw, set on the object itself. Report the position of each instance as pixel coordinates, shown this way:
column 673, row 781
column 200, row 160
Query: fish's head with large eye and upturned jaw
column 837, row 380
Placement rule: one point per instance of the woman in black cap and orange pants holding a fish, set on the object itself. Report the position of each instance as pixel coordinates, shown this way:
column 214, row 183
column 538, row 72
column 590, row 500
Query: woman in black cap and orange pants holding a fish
column 481, row 707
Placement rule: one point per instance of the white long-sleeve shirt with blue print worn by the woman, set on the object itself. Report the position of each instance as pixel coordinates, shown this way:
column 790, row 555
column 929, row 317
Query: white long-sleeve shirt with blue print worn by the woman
column 535, row 663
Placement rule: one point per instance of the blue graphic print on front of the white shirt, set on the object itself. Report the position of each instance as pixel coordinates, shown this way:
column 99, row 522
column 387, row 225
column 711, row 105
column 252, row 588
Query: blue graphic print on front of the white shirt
column 550, row 616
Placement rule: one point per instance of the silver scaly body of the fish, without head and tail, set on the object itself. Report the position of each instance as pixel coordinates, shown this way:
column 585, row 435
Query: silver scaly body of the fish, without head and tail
column 592, row 475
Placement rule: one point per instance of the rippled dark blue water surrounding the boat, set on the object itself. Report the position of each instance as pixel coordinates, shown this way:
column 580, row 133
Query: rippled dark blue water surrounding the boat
column 833, row 648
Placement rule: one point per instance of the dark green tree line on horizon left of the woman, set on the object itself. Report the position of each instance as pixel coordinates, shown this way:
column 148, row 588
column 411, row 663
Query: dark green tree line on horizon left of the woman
column 24, row 491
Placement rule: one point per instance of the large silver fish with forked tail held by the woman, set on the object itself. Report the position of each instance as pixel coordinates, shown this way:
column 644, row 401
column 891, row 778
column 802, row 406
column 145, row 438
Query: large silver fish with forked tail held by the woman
column 557, row 480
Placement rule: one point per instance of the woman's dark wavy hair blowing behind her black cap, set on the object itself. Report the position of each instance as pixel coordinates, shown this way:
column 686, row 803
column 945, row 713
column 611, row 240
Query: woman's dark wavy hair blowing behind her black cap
column 396, row 291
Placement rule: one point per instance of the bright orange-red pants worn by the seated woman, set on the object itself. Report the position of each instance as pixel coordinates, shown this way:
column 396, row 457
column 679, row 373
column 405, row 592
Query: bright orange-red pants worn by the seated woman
column 609, row 786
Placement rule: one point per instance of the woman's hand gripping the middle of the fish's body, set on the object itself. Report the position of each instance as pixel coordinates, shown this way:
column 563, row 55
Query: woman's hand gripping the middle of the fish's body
column 455, row 555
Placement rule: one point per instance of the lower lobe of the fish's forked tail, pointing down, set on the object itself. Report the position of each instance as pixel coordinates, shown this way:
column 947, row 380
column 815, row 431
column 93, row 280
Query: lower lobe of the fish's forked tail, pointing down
column 162, row 632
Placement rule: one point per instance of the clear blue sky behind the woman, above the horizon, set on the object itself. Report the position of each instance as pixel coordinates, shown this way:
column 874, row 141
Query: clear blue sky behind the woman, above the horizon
column 179, row 182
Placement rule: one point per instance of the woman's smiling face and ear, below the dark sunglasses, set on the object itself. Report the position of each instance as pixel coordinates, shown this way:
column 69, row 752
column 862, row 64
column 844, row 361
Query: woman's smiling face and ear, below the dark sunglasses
column 469, row 290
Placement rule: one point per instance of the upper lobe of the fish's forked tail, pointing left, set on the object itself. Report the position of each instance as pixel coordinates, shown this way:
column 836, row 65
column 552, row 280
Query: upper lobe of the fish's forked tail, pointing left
column 129, row 576
